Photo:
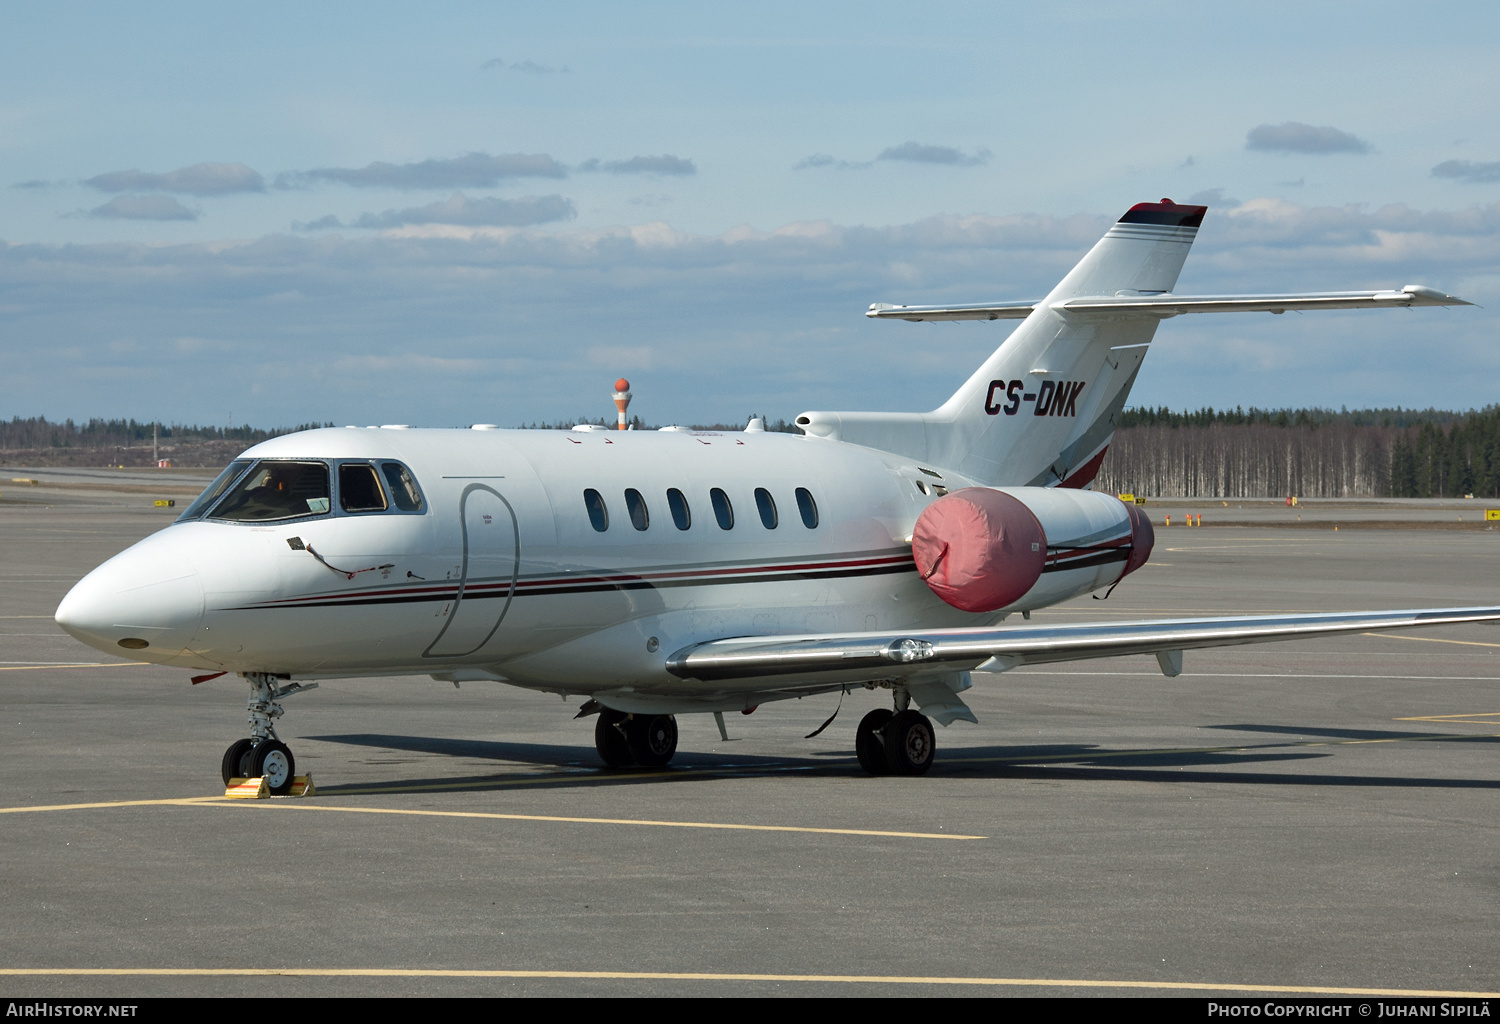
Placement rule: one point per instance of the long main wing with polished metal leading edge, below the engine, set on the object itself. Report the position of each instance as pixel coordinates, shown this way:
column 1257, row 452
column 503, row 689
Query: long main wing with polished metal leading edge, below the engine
column 874, row 656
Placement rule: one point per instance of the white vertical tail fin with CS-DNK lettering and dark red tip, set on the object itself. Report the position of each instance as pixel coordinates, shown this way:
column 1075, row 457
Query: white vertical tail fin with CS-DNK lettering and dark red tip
column 1045, row 406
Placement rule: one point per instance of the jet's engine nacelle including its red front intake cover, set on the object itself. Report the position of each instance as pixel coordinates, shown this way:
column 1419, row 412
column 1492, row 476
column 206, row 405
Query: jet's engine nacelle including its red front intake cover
column 983, row 549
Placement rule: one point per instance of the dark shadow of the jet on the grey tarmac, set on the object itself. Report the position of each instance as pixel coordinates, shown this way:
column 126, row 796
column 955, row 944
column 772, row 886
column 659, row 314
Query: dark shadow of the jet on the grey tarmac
column 578, row 767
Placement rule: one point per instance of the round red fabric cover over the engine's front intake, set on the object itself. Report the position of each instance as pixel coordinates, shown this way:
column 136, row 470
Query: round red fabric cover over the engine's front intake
column 979, row 549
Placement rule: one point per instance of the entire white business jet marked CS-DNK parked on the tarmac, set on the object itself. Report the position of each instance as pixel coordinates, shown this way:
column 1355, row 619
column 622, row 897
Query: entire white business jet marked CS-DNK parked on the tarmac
column 695, row 572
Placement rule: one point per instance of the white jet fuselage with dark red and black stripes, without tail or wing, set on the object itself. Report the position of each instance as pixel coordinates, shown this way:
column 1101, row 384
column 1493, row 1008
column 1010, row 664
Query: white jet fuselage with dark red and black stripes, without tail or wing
column 503, row 572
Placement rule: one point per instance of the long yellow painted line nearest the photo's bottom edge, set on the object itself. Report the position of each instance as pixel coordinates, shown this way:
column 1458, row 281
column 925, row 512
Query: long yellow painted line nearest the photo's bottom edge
column 712, row 977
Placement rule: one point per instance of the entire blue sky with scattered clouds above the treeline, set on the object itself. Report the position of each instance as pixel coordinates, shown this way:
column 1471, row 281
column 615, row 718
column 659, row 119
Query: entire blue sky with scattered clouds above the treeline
column 376, row 214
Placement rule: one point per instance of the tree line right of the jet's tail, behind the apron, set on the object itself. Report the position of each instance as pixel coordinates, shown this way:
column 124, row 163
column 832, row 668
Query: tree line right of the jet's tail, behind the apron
column 1312, row 454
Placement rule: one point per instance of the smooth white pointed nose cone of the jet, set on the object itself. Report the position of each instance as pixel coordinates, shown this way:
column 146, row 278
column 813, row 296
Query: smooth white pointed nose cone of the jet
column 145, row 602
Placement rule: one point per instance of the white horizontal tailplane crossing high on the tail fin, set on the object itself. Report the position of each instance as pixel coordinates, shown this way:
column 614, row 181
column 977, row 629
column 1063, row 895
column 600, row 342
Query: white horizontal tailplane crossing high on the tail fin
column 1166, row 305
